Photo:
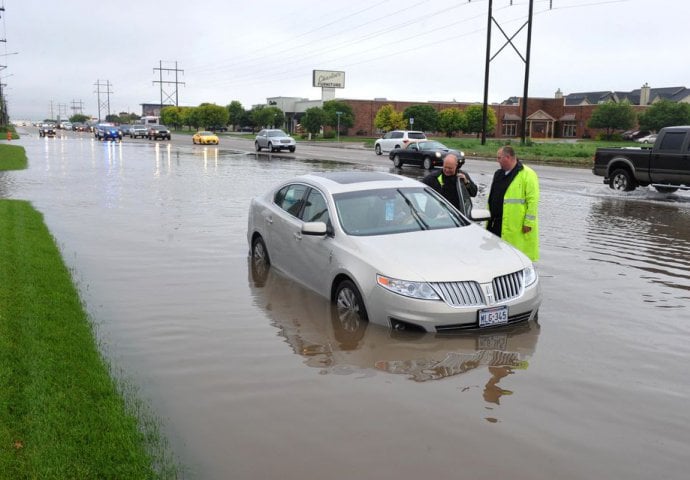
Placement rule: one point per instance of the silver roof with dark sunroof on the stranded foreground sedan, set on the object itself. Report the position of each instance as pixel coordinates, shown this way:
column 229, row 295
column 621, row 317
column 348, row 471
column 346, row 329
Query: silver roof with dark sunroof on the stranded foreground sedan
column 338, row 182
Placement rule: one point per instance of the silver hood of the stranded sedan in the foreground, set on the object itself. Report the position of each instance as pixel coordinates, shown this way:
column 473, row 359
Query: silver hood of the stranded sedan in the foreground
column 446, row 255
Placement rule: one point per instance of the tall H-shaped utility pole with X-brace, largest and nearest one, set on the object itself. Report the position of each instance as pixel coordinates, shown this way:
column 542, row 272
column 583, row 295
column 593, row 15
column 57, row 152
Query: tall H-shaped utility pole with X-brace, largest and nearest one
column 525, row 59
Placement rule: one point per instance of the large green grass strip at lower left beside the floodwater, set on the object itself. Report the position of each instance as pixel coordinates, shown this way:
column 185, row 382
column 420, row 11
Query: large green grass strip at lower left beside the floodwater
column 61, row 413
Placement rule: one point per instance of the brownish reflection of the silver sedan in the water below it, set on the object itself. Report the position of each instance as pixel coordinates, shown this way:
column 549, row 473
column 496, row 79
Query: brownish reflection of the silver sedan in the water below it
column 344, row 344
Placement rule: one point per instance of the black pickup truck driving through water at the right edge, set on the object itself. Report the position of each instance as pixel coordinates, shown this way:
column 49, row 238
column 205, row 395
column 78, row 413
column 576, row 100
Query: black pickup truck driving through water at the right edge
column 665, row 166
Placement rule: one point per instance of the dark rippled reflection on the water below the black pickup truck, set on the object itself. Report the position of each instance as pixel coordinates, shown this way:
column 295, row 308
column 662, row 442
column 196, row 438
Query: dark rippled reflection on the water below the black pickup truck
column 651, row 237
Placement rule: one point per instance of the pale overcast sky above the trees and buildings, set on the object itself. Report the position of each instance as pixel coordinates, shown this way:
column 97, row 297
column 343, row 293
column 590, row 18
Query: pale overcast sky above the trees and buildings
column 57, row 53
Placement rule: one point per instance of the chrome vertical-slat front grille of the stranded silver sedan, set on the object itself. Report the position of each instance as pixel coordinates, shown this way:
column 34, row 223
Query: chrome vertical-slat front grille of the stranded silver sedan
column 467, row 294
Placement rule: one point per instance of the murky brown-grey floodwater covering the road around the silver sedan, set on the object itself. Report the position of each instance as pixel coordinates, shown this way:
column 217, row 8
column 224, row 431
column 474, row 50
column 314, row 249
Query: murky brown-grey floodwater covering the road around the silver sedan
column 255, row 378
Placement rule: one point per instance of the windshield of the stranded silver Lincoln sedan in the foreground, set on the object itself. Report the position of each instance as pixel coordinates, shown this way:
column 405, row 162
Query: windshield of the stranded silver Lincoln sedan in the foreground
column 394, row 210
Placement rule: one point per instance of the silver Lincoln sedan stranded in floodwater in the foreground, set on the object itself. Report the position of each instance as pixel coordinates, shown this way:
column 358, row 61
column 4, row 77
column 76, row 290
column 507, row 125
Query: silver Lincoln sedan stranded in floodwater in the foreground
column 389, row 249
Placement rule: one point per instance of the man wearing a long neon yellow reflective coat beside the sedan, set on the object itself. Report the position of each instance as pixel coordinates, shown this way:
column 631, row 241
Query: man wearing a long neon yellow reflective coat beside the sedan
column 514, row 203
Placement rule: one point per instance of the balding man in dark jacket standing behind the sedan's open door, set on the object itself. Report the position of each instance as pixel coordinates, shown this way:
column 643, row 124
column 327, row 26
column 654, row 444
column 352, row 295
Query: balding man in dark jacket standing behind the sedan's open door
column 455, row 185
